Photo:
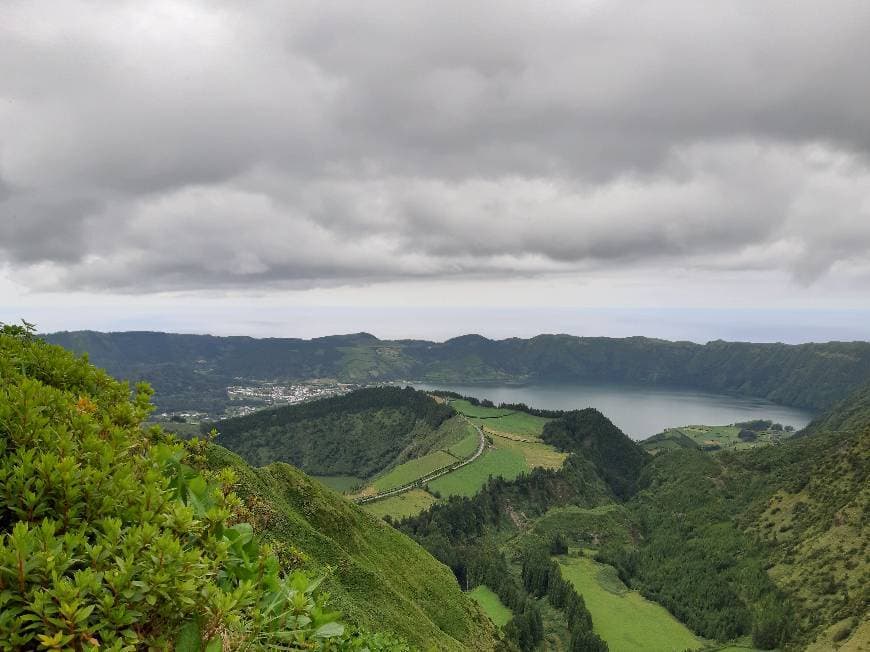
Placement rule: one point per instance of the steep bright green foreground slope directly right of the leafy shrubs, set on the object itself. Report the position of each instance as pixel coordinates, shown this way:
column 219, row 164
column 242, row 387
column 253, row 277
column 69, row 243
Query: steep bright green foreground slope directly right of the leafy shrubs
column 377, row 576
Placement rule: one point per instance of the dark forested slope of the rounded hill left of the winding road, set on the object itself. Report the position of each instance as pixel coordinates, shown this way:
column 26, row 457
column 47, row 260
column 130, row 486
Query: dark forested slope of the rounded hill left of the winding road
column 358, row 434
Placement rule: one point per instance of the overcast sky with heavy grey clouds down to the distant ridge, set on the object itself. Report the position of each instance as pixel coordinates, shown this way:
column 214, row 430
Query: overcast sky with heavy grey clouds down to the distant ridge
column 675, row 169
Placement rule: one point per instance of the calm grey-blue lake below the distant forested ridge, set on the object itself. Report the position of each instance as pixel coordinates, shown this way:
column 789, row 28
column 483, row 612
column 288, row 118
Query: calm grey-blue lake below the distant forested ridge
column 639, row 411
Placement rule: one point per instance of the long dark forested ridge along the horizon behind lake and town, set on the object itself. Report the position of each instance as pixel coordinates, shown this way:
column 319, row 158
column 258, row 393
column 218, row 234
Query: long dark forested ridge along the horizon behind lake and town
column 193, row 371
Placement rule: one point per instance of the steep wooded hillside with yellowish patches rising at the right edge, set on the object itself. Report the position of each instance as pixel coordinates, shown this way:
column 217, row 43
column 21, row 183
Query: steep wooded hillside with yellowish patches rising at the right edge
column 771, row 541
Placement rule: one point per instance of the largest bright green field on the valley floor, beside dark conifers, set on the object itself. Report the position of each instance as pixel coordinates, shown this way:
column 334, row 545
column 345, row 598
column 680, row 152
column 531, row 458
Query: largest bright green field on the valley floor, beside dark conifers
column 627, row 621
